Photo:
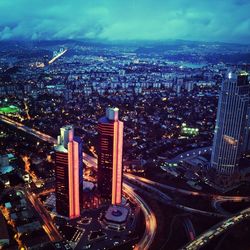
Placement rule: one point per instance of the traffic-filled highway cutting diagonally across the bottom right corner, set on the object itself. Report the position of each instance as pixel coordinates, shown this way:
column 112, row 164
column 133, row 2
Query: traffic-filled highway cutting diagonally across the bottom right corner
column 217, row 230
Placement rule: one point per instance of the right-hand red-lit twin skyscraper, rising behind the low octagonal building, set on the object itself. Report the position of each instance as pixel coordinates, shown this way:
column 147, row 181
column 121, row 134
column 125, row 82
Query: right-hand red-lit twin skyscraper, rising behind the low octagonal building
column 110, row 148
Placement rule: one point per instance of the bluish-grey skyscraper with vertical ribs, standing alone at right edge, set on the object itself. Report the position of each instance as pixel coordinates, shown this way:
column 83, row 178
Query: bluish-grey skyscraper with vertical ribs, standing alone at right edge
column 231, row 138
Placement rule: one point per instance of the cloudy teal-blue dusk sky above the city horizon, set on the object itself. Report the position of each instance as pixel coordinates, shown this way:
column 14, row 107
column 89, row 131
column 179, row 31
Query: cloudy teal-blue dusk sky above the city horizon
column 124, row 20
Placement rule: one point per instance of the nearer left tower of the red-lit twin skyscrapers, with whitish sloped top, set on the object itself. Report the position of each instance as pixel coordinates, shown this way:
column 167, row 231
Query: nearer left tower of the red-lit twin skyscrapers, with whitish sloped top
column 69, row 173
